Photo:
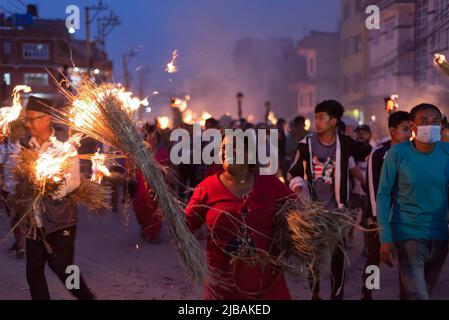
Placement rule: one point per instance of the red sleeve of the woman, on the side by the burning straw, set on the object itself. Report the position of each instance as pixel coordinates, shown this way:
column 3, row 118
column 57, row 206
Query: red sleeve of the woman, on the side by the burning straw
column 196, row 209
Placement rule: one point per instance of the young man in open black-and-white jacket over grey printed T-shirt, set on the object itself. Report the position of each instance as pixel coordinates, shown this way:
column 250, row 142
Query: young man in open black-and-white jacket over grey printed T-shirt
column 321, row 166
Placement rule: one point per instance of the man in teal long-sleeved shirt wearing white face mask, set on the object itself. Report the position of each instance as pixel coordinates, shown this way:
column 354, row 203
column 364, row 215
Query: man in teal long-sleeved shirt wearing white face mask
column 412, row 204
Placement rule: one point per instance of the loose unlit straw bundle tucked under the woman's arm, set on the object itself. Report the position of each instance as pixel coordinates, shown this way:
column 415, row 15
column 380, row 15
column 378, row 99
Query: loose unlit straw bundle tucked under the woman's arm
column 309, row 233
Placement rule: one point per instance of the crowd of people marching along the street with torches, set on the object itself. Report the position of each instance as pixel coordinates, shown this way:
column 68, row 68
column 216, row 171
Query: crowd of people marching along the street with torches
column 400, row 188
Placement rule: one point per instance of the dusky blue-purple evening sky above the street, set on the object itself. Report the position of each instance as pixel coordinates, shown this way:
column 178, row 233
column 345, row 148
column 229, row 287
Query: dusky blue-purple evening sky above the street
column 203, row 31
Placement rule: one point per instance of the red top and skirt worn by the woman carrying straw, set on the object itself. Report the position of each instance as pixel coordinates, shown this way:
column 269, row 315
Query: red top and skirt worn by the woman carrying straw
column 222, row 211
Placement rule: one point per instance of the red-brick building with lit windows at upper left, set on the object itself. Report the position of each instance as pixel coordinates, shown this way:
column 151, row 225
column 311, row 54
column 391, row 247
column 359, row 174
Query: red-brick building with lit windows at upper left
column 34, row 50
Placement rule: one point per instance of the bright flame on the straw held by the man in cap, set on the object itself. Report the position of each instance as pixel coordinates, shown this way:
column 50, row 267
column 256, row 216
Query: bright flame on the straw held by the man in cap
column 52, row 163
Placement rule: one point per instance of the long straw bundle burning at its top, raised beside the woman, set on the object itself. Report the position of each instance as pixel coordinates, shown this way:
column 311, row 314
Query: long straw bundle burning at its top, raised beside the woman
column 105, row 113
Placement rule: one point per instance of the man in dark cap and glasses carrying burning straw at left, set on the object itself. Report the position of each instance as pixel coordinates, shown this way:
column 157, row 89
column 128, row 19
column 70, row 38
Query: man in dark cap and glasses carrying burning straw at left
column 56, row 218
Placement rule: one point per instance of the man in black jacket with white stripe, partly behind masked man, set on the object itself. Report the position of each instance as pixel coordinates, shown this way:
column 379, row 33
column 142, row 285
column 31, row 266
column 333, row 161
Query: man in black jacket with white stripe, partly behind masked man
column 400, row 131
